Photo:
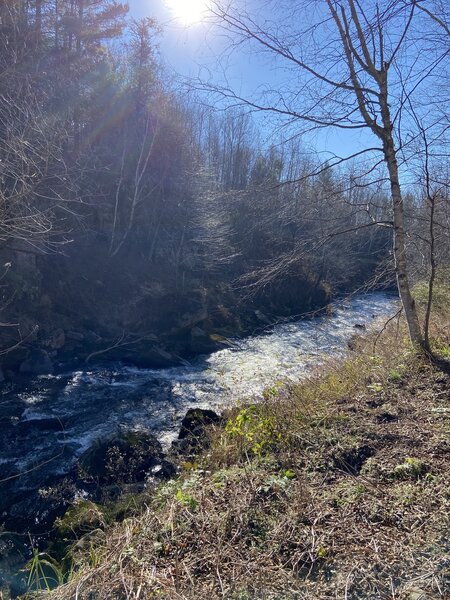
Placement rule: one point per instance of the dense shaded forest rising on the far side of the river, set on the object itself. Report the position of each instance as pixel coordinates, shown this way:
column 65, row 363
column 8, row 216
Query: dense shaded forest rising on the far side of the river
column 134, row 214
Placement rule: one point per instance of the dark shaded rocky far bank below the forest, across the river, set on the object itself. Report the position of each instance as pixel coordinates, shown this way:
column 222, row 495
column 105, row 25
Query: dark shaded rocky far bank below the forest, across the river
column 61, row 319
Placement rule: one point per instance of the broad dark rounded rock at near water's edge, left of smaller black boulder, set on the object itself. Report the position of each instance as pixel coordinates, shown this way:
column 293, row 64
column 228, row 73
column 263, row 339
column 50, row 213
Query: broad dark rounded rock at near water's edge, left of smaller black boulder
column 125, row 458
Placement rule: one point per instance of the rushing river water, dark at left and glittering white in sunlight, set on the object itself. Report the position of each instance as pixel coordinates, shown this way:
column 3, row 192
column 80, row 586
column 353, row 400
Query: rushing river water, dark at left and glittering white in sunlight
column 60, row 416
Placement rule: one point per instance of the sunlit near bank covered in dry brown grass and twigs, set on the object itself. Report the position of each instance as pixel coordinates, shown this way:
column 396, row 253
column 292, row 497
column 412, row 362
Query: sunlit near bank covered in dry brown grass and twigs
column 335, row 487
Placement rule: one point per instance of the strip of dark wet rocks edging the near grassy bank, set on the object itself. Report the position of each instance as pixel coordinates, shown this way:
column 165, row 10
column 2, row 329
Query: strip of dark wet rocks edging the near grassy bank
column 64, row 507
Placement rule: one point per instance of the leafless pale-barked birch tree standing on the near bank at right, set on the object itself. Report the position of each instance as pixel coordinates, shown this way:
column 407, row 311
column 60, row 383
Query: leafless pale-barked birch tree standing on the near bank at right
column 355, row 66
